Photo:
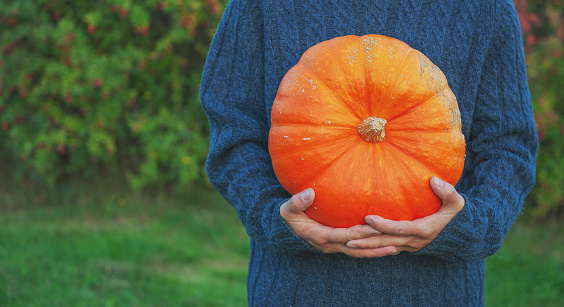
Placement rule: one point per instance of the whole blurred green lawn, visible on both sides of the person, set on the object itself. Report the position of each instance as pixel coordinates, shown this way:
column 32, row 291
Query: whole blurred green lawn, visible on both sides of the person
column 79, row 246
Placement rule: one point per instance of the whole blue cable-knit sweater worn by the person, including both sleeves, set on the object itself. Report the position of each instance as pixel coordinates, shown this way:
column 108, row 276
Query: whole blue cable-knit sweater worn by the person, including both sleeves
column 476, row 43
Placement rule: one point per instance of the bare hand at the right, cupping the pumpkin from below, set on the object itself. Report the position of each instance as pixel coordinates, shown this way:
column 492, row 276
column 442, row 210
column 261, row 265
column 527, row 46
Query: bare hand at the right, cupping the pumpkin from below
column 412, row 236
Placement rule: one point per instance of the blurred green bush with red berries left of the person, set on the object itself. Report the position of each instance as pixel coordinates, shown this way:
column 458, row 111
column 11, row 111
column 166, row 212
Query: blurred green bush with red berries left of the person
column 106, row 84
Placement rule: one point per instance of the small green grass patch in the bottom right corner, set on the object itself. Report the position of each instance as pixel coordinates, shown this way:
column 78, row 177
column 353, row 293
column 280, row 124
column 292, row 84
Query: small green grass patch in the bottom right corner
column 529, row 268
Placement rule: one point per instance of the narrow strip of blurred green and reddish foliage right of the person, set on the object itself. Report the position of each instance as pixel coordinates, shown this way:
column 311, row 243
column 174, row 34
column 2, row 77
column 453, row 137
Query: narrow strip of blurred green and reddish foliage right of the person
column 542, row 25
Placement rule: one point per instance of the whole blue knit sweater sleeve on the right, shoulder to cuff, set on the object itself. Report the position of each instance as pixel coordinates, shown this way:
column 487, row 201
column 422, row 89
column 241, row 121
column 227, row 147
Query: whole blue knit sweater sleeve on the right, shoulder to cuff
column 500, row 153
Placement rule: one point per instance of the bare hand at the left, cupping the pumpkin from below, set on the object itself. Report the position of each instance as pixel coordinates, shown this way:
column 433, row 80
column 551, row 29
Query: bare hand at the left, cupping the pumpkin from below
column 324, row 238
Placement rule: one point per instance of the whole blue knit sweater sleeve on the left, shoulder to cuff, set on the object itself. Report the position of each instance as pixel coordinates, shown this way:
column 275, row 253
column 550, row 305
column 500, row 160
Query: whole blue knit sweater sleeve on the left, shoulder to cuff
column 232, row 95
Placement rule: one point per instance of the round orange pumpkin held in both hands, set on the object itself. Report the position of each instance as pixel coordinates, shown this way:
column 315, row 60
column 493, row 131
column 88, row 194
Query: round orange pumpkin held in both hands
column 326, row 131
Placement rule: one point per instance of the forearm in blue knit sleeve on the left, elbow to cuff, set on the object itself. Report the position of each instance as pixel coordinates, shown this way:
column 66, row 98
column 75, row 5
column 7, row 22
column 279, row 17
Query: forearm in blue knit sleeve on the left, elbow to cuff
column 244, row 176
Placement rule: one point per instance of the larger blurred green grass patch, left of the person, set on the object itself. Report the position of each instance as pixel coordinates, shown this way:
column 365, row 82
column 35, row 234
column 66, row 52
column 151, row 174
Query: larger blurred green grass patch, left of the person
column 125, row 251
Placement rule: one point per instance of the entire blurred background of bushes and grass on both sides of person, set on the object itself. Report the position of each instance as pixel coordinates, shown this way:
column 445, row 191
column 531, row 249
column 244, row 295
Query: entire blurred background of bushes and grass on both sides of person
column 103, row 194
